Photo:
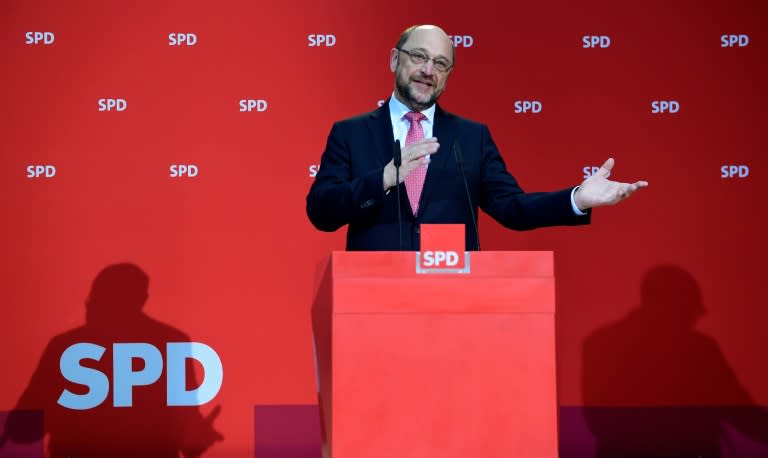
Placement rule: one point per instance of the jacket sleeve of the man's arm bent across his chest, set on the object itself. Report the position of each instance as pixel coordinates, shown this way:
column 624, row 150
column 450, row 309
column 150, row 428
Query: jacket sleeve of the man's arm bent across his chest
column 341, row 195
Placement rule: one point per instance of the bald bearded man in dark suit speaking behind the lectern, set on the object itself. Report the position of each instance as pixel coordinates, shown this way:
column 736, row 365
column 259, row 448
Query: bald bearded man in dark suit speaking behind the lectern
column 357, row 180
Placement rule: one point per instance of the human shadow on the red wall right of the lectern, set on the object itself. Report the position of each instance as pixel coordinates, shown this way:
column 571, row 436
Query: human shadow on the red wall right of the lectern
column 655, row 386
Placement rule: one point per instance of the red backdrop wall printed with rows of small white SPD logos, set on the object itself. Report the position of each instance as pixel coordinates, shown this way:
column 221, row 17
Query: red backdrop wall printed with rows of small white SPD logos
column 230, row 253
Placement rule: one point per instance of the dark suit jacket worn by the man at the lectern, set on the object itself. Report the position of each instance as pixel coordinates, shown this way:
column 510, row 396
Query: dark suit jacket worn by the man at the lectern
column 348, row 188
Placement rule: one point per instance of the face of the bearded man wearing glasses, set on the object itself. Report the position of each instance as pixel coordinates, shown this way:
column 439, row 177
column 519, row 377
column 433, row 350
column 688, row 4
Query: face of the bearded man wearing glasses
column 420, row 85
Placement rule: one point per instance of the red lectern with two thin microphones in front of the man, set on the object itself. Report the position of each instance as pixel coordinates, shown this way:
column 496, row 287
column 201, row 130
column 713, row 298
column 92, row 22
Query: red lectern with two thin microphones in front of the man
column 436, row 365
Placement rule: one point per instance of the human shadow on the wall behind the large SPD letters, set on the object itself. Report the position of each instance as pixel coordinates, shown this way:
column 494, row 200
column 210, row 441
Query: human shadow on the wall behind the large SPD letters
column 148, row 428
